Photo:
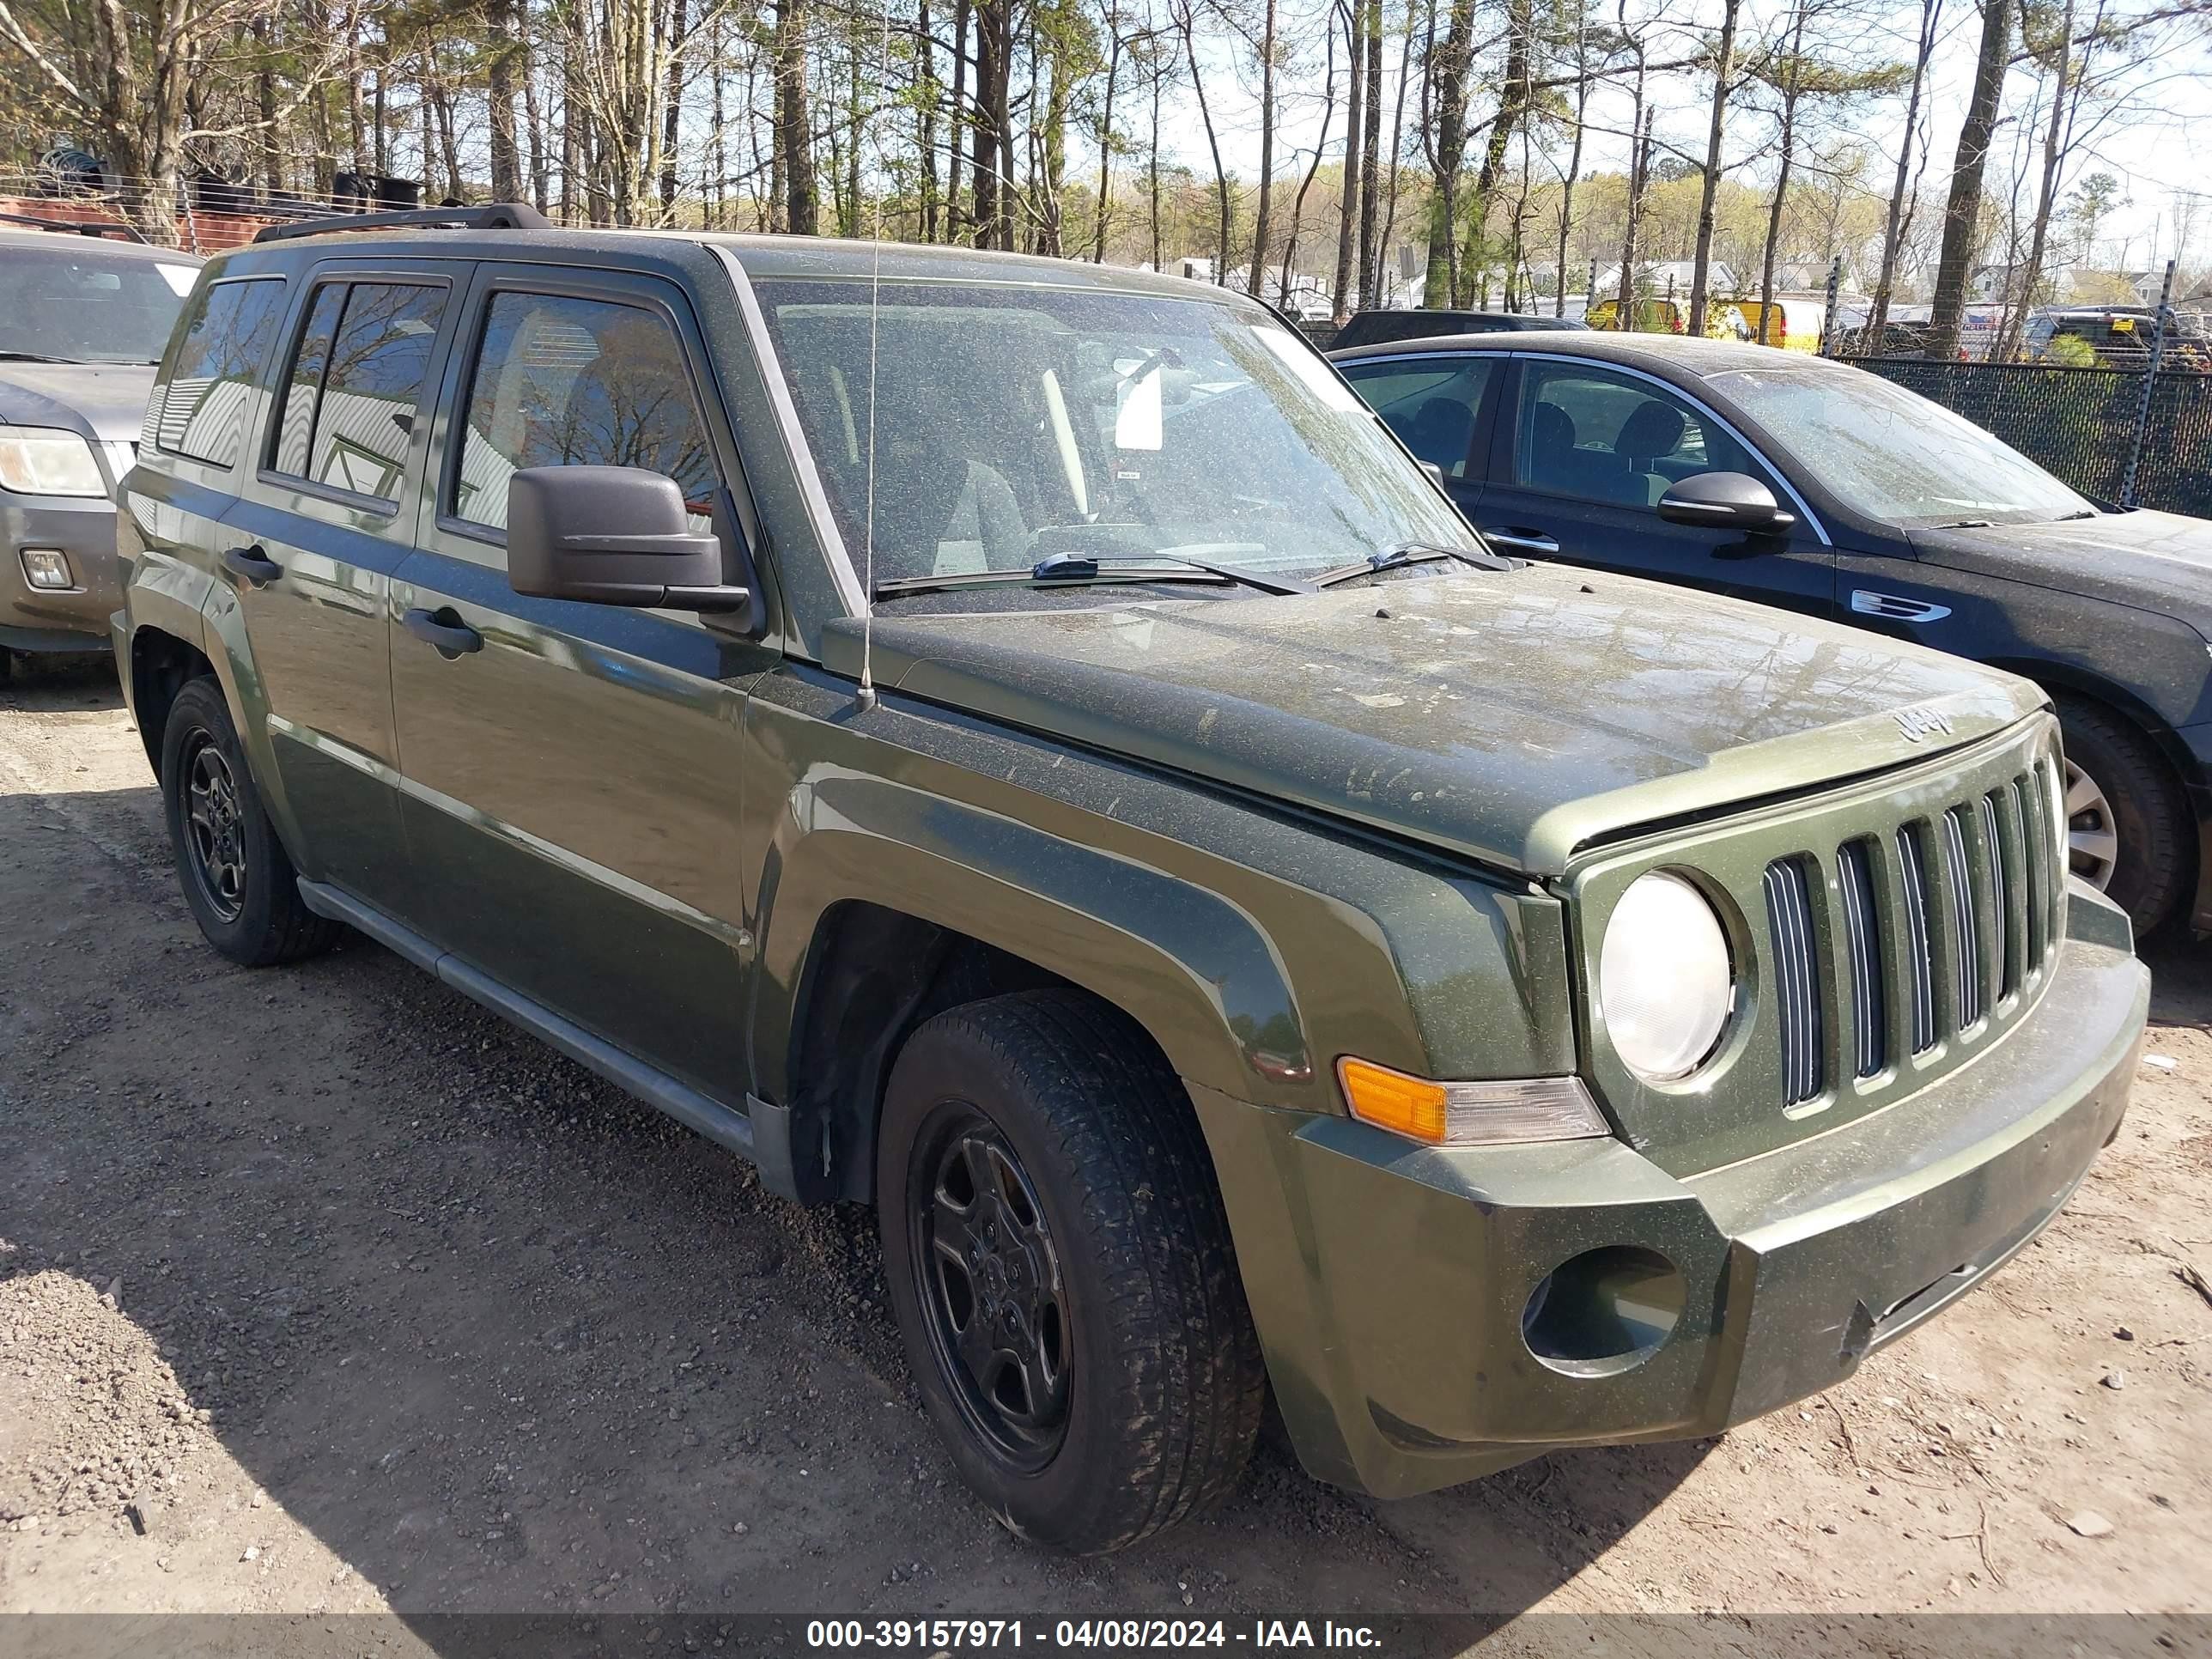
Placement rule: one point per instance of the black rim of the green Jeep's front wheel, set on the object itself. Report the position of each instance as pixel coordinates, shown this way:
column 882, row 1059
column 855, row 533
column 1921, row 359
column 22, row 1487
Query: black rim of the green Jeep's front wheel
column 990, row 1286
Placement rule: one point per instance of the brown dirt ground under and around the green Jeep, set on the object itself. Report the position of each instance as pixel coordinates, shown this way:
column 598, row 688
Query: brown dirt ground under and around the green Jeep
column 324, row 1291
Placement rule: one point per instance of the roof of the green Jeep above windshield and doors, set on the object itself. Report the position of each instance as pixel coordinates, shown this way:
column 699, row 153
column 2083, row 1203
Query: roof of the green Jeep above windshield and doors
column 760, row 255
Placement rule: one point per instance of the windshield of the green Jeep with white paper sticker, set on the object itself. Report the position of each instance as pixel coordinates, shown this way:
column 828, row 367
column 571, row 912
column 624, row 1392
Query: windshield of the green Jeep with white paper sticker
column 1016, row 424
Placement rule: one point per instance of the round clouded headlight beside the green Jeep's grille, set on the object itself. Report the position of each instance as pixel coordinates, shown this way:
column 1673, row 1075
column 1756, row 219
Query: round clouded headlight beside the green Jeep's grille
column 1665, row 985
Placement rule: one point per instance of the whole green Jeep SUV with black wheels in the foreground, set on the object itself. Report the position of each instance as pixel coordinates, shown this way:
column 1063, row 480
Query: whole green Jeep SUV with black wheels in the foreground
column 1021, row 747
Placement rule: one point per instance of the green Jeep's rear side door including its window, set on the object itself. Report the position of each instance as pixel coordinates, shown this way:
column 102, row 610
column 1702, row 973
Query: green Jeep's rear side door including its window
column 311, row 547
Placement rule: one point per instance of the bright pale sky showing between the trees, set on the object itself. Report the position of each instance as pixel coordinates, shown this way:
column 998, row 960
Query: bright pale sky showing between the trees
column 2153, row 143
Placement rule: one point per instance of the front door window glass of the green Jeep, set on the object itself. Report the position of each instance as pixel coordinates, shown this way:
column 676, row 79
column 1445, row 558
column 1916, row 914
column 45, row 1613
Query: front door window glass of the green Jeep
column 567, row 382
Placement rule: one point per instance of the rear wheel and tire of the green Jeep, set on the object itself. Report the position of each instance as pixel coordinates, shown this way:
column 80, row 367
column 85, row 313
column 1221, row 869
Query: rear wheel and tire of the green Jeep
column 236, row 873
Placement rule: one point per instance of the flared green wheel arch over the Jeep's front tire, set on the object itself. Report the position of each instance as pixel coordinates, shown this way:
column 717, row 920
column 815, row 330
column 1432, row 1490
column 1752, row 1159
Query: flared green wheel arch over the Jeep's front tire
column 937, row 904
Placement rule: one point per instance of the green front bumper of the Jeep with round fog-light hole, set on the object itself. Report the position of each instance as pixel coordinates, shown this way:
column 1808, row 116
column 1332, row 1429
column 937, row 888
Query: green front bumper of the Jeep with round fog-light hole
column 1390, row 1282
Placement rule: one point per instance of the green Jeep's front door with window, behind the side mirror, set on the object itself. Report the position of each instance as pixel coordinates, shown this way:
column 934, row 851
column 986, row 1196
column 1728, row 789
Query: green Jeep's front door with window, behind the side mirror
column 572, row 771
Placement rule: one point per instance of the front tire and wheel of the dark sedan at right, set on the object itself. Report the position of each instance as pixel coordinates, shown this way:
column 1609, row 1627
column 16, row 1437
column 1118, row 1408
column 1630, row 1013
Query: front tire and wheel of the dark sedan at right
column 2129, row 831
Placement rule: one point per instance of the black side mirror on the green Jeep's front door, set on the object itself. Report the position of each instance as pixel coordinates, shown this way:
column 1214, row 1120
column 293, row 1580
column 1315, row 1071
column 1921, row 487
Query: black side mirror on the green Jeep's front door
column 612, row 536
